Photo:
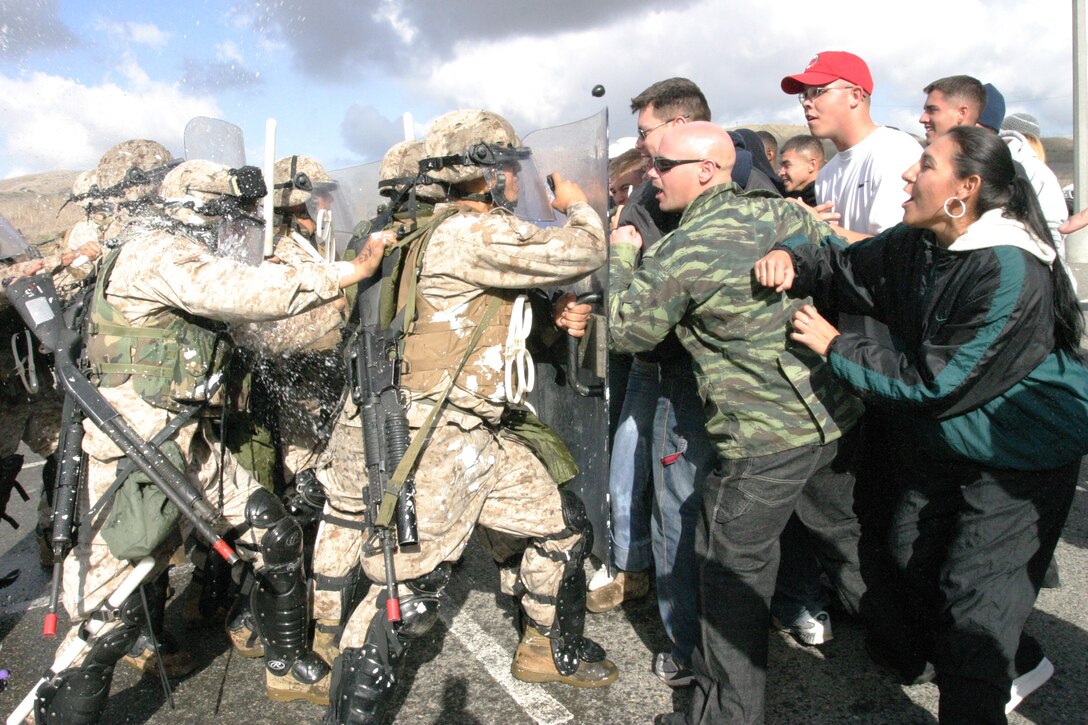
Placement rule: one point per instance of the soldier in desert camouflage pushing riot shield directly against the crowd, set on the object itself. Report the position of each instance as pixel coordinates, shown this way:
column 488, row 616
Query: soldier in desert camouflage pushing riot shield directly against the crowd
column 474, row 474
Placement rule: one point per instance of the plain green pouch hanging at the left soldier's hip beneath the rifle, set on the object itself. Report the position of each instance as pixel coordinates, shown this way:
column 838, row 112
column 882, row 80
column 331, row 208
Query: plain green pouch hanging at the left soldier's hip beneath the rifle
column 142, row 518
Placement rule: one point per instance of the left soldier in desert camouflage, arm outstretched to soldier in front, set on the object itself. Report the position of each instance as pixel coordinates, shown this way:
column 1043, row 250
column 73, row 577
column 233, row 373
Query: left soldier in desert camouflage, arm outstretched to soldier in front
column 166, row 276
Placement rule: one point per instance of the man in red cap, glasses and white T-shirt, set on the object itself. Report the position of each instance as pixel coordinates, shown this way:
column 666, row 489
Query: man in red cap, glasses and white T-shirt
column 864, row 181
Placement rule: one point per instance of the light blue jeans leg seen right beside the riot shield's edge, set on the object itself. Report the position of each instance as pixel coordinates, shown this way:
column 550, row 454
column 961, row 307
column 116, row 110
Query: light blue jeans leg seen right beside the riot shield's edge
column 629, row 471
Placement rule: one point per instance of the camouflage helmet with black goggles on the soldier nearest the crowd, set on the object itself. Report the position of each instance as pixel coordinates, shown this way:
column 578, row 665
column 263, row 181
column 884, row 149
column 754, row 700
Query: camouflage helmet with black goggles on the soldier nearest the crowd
column 481, row 139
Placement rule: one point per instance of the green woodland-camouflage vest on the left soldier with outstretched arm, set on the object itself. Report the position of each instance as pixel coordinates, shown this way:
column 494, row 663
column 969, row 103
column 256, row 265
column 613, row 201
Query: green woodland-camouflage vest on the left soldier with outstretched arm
column 171, row 361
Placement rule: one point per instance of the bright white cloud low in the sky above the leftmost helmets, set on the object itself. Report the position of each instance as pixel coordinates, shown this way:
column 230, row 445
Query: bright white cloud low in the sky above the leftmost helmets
column 52, row 122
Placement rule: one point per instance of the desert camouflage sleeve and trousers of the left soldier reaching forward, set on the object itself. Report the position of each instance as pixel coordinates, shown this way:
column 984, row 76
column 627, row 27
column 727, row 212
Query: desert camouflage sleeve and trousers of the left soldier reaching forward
column 158, row 273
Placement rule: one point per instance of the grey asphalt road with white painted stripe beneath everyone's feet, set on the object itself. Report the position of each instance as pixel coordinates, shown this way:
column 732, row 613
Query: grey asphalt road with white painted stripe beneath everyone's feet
column 461, row 673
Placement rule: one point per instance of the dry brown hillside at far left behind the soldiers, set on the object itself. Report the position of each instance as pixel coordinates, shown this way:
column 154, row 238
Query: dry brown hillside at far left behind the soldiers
column 33, row 205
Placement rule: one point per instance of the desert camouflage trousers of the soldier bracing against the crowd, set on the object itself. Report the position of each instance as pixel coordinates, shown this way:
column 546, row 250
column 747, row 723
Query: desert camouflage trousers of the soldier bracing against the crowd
column 475, row 478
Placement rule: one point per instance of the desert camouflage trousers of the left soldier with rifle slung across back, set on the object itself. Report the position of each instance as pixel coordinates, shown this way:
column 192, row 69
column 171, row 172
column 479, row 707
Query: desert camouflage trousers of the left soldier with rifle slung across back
column 91, row 572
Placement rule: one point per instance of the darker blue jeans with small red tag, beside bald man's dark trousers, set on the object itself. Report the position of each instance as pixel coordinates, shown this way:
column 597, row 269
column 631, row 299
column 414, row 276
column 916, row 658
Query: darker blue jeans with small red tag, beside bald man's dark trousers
column 684, row 457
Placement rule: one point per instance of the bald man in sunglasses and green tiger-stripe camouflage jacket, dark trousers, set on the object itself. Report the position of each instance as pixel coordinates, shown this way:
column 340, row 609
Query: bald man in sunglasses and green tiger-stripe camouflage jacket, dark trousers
column 775, row 413
